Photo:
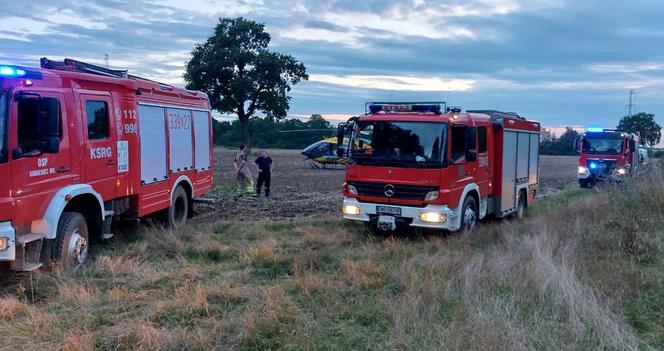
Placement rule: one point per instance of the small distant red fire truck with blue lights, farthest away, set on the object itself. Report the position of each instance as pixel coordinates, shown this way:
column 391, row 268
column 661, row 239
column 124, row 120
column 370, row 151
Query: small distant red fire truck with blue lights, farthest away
column 607, row 154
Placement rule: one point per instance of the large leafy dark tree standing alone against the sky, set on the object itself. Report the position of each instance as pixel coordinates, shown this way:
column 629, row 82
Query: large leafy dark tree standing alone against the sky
column 241, row 75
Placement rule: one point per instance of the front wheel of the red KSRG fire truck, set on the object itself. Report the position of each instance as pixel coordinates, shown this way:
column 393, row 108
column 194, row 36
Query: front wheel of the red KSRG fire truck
column 72, row 241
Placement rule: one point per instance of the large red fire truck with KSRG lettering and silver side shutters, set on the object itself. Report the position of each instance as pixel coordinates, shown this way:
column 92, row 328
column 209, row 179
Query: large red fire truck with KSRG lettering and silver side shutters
column 83, row 146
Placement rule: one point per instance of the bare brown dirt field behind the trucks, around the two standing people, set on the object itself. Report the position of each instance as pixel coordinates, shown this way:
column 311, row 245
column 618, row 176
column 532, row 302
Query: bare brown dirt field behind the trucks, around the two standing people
column 300, row 191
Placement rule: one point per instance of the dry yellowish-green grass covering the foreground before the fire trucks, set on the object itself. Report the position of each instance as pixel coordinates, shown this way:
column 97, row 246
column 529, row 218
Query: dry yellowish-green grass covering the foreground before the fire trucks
column 585, row 271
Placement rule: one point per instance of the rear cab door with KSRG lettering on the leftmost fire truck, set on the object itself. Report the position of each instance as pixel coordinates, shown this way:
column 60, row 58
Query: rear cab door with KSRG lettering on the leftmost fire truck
column 100, row 156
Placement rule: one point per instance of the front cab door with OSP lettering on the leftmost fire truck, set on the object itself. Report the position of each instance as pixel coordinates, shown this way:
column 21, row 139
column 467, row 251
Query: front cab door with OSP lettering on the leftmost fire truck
column 37, row 172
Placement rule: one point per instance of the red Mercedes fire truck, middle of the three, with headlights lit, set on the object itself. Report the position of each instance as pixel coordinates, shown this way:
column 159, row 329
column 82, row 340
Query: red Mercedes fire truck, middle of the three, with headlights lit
column 421, row 165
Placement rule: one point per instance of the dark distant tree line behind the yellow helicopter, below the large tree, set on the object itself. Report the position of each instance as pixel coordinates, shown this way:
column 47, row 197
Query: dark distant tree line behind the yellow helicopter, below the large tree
column 274, row 134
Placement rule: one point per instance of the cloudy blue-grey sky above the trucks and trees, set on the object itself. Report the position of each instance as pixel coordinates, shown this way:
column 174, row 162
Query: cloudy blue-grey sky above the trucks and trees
column 560, row 62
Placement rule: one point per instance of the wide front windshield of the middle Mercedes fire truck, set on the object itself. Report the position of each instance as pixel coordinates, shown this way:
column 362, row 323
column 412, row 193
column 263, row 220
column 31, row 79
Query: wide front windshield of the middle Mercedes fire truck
column 399, row 144
